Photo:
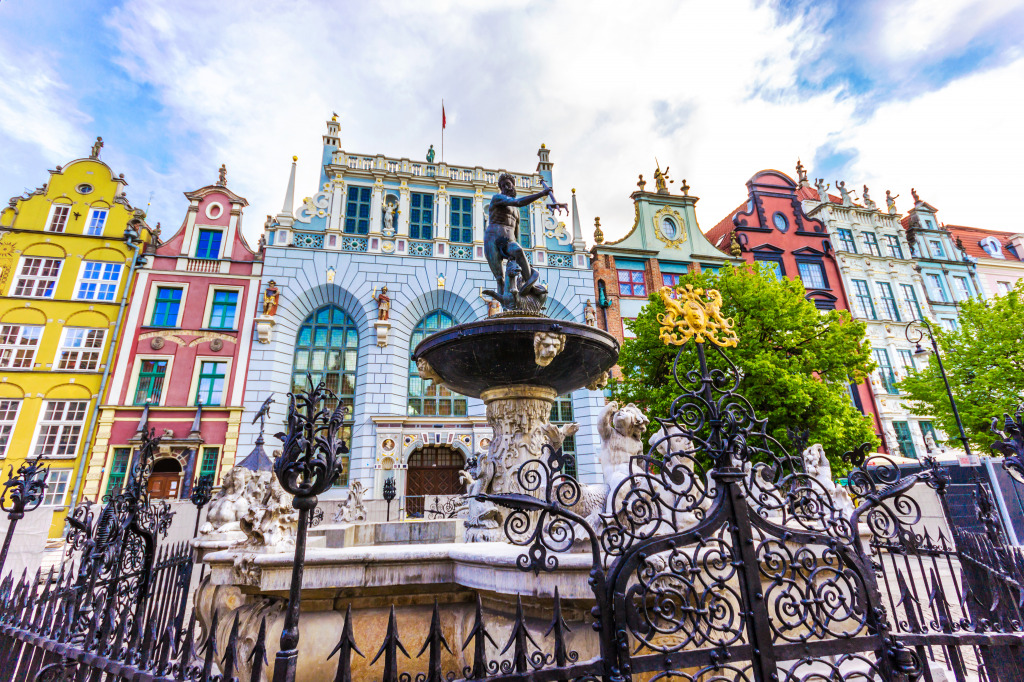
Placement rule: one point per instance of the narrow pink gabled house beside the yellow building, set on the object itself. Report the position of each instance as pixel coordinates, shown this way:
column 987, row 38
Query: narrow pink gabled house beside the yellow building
column 183, row 359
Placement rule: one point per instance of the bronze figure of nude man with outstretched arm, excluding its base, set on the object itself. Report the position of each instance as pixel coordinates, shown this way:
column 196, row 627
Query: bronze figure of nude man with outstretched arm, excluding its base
column 501, row 238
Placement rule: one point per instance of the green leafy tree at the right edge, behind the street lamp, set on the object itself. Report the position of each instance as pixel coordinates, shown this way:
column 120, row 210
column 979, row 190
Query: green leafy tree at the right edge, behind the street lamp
column 985, row 362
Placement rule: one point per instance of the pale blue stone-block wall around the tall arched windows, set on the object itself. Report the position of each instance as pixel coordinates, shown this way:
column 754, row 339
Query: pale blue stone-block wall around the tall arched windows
column 381, row 387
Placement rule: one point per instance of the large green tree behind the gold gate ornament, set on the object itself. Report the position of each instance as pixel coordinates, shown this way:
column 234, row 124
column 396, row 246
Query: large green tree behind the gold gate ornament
column 796, row 362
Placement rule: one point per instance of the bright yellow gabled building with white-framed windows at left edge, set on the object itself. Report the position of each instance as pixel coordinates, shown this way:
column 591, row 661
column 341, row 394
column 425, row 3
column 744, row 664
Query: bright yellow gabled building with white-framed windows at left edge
column 68, row 253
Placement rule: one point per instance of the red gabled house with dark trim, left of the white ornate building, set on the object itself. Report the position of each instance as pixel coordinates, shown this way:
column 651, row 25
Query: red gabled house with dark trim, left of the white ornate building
column 771, row 228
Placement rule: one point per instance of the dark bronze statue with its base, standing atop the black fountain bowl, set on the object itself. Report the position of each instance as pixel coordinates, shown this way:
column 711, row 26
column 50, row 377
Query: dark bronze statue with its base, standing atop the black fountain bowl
column 501, row 246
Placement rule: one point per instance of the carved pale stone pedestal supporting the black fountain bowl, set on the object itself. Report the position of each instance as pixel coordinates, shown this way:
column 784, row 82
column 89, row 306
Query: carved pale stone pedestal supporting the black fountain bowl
column 518, row 415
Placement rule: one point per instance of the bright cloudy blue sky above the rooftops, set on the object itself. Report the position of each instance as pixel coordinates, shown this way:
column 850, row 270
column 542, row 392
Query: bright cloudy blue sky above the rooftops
column 893, row 95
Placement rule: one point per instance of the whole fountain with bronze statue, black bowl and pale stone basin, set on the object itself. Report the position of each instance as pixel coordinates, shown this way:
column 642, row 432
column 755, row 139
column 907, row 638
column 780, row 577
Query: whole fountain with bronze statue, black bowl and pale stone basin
column 518, row 362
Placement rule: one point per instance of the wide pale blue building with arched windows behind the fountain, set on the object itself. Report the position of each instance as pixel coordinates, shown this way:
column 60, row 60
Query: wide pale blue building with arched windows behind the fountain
column 417, row 228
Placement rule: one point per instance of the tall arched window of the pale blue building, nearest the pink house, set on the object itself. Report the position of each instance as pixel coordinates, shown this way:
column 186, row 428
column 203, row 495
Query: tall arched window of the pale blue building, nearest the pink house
column 326, row 349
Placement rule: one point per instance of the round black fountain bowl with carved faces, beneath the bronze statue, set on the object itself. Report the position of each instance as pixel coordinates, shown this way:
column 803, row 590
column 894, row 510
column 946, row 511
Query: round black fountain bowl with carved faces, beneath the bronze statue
column 503, row 352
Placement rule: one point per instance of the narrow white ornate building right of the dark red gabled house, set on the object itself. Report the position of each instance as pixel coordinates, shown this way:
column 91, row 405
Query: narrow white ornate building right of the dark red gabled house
column 885, row 288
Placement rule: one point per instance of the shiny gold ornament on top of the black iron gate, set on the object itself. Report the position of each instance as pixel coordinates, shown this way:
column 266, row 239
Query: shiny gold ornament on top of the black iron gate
column 695, row 314
